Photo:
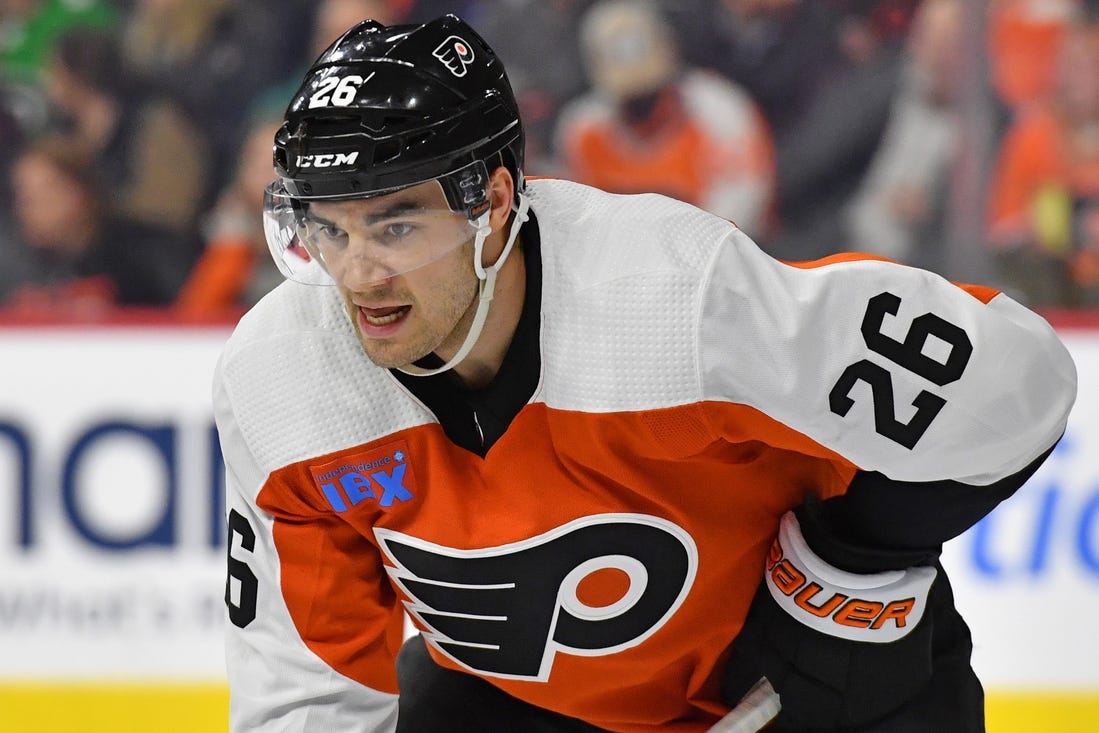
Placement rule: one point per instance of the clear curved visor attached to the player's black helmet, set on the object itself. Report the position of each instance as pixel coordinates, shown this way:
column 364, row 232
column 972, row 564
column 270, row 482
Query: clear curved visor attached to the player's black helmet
column 360, row 242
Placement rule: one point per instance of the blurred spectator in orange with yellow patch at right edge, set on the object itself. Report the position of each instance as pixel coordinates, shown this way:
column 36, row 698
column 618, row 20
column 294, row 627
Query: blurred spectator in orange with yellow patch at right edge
column 1045, row 202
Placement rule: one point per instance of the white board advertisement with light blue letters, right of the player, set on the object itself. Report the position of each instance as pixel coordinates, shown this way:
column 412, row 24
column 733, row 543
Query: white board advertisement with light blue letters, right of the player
column 1027, row 576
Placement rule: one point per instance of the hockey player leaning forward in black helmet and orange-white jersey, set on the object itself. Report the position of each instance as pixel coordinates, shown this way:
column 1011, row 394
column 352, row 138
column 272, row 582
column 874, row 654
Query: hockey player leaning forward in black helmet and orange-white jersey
column 624, row 471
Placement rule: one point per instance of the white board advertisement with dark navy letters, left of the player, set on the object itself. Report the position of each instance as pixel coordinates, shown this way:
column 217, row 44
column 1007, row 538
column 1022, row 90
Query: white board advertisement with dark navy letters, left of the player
column 112, row 530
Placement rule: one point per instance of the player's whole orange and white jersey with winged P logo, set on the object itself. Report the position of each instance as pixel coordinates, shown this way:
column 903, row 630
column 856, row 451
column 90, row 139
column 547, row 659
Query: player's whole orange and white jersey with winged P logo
column 601, row 558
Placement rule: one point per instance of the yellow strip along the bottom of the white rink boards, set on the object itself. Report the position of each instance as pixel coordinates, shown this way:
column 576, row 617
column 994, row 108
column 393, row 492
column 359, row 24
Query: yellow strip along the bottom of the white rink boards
column 203, row 708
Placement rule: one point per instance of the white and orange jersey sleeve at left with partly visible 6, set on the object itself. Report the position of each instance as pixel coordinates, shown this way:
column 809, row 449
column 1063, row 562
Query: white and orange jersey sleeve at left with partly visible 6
column 296, row 659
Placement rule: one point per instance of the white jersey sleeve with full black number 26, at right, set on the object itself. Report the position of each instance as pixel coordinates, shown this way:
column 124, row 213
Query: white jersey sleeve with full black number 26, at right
column 894, row 369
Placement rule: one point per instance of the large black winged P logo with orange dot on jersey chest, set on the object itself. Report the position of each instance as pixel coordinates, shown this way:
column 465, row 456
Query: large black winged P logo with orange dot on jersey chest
column 507, row 612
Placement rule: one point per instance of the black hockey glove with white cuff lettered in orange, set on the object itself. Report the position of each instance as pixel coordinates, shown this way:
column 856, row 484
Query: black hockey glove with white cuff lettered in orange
column 841, row 649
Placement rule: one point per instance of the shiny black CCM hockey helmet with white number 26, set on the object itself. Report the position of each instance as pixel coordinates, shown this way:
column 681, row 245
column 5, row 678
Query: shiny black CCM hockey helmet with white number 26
column 390, row 107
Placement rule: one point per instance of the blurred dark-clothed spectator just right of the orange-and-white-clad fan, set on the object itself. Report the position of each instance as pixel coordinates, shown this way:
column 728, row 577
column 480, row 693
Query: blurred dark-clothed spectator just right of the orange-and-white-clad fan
column 824, row 73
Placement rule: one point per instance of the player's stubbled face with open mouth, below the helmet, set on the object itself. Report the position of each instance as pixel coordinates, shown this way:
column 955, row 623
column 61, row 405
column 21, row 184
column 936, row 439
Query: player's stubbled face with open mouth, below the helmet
column 401, row 315
